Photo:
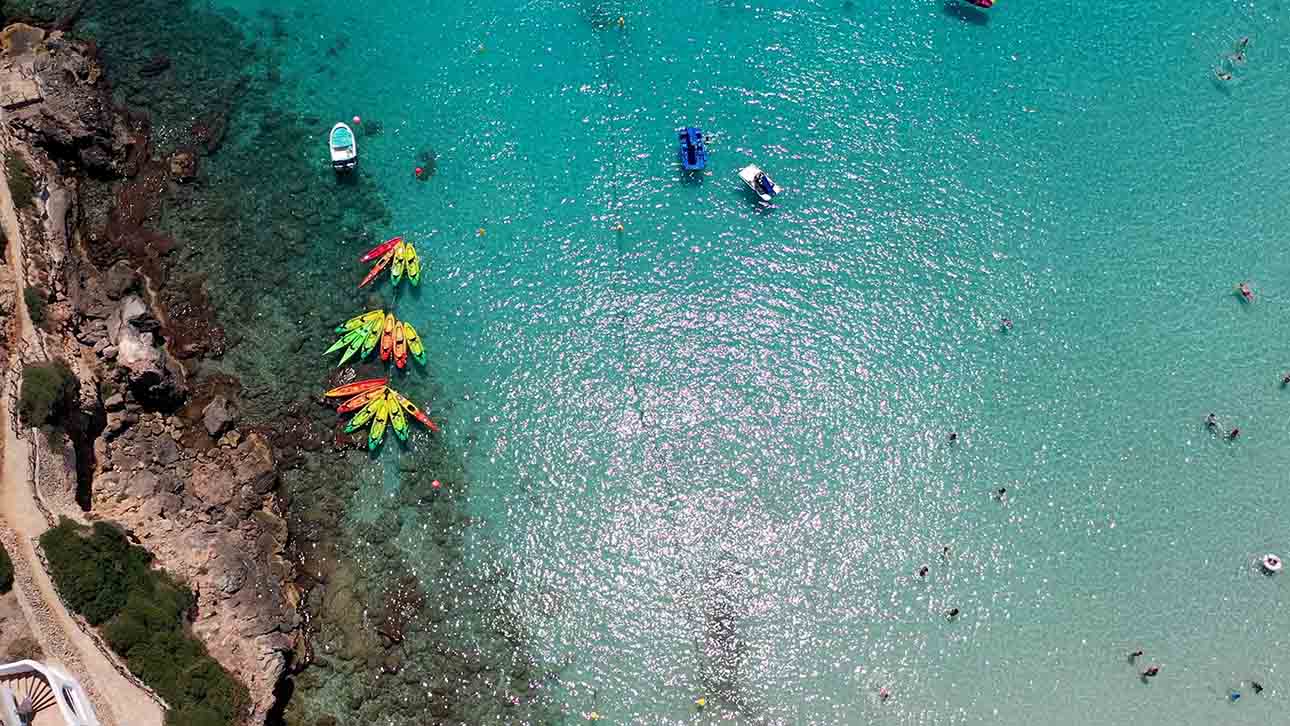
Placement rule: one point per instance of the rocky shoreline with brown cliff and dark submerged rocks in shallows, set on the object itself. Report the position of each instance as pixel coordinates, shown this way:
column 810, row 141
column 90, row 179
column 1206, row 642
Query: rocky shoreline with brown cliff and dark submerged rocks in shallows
column 213, row 455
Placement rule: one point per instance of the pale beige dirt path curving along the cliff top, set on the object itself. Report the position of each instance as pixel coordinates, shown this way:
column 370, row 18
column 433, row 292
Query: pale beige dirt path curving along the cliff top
column 117, row 700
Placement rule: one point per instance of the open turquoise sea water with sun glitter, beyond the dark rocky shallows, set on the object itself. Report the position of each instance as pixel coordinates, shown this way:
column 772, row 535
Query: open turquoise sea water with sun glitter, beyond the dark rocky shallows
column 711, row 449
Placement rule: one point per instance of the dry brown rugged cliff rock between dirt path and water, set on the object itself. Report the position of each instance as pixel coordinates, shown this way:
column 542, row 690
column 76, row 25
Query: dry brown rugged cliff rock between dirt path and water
column 157, row 453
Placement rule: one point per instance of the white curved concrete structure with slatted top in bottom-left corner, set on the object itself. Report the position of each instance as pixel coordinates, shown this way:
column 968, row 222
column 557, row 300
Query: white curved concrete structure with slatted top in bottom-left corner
column 33, row 694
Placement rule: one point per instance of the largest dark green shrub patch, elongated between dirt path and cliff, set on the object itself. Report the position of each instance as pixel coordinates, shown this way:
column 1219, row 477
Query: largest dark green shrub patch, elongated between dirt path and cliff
column 144, row 613
